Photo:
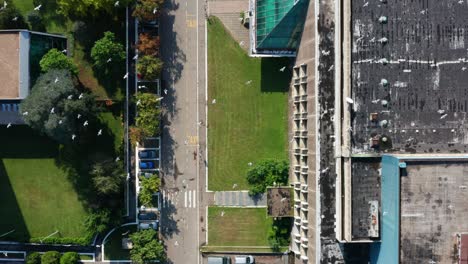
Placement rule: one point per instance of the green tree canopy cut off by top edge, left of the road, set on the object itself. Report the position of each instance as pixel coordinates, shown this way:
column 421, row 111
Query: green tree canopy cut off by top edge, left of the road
column 80, row 8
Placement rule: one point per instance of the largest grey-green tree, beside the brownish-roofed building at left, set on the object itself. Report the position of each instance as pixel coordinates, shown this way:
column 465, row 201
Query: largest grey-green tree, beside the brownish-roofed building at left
column 49, row 110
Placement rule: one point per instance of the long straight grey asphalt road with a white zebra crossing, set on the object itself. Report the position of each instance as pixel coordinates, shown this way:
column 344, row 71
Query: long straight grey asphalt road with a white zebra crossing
column 183, row 145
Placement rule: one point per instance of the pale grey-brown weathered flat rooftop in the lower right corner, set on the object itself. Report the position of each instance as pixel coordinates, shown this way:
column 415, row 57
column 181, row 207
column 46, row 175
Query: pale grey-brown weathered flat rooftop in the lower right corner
column 434, row 208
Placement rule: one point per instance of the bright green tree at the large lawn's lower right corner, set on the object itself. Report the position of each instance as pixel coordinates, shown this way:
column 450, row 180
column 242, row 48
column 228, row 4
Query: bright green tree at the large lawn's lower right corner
column 267, row 173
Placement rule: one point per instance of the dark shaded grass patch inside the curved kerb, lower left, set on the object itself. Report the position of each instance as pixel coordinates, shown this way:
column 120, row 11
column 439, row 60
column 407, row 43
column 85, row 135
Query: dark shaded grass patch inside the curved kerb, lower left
column 113, row 246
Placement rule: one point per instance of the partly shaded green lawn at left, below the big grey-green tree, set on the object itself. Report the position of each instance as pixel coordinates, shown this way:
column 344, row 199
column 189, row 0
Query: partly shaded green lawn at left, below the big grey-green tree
column 36, row 196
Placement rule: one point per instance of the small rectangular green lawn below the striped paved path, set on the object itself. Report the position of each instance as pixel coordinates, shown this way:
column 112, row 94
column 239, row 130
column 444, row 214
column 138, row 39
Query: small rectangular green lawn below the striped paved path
column 238, row 226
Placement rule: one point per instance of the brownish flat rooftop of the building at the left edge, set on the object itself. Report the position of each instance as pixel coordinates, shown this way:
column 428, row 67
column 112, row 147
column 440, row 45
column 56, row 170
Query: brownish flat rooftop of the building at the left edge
column 9, row 65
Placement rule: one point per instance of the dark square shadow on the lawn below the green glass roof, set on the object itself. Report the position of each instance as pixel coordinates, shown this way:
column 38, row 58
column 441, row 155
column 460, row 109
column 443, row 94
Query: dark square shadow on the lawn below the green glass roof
column 273, row 77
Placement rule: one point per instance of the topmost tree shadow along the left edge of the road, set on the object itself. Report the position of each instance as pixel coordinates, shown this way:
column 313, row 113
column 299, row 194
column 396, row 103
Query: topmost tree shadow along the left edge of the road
column 173, row 57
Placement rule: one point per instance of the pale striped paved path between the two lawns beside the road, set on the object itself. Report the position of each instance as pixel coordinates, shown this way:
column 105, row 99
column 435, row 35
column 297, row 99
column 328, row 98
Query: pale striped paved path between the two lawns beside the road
column 239, row 199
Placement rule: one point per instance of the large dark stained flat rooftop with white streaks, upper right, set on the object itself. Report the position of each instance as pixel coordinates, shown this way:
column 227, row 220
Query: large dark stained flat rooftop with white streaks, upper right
column 409, row 74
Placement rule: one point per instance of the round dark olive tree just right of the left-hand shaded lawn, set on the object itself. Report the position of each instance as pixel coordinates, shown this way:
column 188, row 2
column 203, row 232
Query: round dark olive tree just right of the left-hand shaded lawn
column 108, row 177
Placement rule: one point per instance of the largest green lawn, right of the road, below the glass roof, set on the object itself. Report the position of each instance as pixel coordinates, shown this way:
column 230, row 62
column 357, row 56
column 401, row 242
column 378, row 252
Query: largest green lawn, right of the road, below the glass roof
column 248, row 122
